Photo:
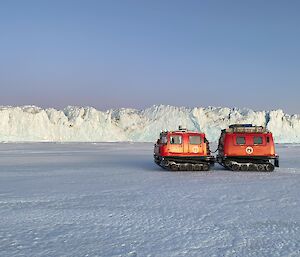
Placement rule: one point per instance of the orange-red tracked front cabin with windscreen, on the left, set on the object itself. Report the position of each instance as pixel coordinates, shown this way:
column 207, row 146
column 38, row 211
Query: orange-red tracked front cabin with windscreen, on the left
column 183, row 150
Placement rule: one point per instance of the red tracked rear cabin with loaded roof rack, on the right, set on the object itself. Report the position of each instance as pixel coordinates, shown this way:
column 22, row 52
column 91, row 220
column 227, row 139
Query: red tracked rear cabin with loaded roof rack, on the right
column 244, row 147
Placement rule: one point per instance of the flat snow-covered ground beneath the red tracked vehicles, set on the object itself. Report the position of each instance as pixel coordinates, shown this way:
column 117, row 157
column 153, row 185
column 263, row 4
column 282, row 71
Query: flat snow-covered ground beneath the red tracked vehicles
column 110, row 199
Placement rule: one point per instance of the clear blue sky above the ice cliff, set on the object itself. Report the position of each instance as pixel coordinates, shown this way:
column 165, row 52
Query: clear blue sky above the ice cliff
column 130, row 53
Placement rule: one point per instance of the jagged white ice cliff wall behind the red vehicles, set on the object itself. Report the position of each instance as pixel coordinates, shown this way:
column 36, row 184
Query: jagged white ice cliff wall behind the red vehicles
column 86, row 124
